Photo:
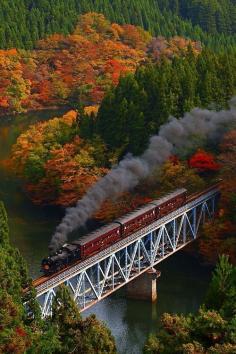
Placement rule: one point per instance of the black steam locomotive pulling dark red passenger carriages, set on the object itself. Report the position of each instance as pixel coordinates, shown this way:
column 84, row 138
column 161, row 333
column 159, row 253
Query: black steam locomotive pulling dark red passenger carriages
column 104, row 237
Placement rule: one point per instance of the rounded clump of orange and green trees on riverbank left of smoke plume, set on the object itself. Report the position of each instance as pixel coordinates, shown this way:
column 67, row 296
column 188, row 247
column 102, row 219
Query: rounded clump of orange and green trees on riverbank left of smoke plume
column 57, row 166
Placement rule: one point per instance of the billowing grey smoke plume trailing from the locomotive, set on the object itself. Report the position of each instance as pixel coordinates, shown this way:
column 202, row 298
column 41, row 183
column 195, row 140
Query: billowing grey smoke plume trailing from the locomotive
column 173, row 137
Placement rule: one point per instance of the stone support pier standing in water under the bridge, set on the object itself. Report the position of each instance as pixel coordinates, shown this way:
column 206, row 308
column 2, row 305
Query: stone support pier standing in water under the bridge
column 144, row 287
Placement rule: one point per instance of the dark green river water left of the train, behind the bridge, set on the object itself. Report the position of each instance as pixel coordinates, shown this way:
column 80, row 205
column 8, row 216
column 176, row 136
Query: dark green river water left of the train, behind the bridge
column 30, row 226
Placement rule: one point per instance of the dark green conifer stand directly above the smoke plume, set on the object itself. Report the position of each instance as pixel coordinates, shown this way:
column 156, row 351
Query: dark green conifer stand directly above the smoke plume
column 136, row 108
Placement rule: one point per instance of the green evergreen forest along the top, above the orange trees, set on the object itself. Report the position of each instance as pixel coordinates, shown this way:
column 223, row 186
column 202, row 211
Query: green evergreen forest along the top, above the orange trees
column 23, row 22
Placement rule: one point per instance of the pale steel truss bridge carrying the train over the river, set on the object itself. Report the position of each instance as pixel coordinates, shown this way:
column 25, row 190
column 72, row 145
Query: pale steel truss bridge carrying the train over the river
column 99, row 276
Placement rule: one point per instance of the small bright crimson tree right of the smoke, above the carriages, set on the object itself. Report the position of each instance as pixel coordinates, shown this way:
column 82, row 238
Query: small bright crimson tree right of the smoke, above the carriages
column 203, row 161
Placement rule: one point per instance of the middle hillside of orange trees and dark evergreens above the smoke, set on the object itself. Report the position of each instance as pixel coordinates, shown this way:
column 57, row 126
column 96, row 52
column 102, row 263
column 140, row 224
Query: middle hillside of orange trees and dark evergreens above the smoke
column 61, row 158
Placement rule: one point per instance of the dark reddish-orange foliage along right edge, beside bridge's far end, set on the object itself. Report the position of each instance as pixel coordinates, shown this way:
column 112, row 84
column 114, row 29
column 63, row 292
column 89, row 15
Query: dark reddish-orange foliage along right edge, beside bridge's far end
column 219, row 235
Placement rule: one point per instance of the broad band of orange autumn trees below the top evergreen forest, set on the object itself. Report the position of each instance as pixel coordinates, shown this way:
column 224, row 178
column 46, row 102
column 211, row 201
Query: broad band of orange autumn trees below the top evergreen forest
column 77, row 68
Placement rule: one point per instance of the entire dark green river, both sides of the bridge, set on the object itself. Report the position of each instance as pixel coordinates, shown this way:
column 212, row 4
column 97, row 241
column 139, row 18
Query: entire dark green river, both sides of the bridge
column 182, row 285
